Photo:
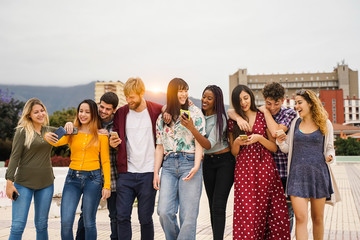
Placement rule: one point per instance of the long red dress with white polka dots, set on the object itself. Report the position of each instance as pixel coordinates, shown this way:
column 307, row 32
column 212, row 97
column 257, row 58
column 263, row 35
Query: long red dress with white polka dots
column 260, row 210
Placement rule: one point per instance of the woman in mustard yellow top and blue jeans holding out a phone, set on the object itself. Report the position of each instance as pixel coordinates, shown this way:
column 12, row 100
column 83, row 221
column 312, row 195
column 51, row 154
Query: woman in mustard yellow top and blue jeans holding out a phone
column 84, row 176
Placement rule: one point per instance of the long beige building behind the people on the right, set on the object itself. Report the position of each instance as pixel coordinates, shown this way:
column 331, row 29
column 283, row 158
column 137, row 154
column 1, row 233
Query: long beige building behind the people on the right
column 342, row 77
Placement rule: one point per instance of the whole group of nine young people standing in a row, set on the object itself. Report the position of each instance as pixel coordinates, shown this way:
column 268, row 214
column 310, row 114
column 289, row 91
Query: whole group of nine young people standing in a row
column 173, row 149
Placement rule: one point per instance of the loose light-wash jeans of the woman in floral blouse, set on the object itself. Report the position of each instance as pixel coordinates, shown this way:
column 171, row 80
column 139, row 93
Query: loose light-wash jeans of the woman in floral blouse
column 176, row 194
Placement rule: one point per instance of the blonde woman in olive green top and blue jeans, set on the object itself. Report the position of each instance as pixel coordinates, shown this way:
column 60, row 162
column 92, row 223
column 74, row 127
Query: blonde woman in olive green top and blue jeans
column 30, row 172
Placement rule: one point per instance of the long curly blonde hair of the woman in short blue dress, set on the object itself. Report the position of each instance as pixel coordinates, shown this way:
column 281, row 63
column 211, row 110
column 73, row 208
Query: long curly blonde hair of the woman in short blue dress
column 318, row 112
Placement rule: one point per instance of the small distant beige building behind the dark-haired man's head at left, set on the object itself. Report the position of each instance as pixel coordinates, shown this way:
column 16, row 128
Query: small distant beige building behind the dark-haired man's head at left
column 102, row 87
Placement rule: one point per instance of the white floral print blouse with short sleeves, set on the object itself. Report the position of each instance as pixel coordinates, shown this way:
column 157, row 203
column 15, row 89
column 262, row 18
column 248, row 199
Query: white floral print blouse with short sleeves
column 177, row 138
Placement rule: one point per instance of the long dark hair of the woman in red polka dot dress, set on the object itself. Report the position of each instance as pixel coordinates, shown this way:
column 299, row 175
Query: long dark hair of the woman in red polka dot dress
column 235, row 99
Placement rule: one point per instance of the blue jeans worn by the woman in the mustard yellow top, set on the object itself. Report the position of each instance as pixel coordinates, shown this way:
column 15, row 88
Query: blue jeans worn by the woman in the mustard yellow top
column 77, row 183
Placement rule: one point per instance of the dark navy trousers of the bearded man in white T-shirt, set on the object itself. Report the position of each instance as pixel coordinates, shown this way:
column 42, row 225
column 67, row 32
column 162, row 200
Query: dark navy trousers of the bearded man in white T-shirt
column 128, row 187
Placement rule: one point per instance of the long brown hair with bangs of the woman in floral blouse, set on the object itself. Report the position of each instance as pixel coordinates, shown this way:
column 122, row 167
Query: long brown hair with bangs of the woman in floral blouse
column 173, row 105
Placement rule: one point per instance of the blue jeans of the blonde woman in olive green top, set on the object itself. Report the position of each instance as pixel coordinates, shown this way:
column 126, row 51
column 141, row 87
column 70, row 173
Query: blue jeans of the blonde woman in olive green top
column 20, row 210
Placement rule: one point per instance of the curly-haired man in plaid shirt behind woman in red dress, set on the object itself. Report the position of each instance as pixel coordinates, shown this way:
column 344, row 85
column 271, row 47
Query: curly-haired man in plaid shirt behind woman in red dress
column 277, row 117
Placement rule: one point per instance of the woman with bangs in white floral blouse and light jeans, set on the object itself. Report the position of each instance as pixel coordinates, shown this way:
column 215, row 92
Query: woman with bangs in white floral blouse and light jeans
column 180, row 156
